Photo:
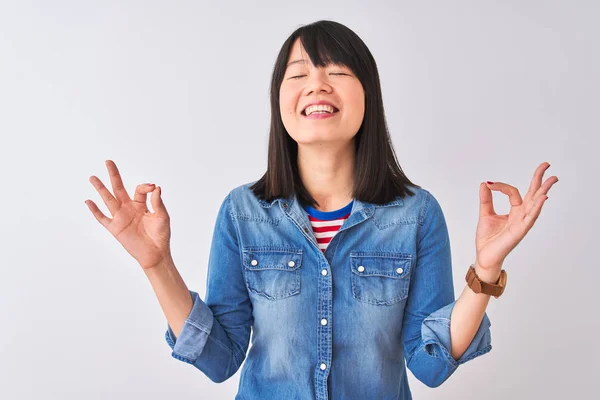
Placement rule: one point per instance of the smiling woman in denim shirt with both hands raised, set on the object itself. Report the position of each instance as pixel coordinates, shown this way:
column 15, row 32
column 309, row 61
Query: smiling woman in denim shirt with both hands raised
column 336, row 261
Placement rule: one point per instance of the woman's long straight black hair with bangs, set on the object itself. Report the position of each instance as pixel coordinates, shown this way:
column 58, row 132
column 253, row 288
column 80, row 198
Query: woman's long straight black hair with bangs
column 378, row 178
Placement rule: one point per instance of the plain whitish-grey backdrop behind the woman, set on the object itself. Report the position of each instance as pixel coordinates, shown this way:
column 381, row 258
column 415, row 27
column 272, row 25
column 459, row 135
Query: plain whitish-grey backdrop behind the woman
column 176, row 93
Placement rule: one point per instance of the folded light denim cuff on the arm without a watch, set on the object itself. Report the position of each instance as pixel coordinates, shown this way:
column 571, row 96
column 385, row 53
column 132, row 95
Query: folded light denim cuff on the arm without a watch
column 194, row 334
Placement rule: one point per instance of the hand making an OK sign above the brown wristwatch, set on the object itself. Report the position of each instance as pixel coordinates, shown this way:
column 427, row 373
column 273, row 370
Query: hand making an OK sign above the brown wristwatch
column 497, row 235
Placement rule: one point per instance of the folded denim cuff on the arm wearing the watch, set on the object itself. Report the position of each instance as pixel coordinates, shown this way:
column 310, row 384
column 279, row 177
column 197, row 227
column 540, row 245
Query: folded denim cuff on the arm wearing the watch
column 435, row 332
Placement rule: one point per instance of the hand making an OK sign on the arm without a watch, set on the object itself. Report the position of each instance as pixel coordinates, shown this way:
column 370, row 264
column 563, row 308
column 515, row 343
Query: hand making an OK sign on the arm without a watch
column 145, row 235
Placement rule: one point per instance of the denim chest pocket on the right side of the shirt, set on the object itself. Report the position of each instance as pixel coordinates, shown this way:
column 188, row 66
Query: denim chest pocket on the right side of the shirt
column 380, row 278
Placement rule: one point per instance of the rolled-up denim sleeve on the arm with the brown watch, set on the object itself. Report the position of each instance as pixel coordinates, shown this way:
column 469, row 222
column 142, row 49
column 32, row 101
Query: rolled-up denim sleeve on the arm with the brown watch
column 426, row 327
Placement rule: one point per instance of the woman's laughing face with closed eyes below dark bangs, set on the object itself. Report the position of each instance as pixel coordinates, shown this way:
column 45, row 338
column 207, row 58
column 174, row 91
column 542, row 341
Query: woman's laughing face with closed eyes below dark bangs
column 304, row 84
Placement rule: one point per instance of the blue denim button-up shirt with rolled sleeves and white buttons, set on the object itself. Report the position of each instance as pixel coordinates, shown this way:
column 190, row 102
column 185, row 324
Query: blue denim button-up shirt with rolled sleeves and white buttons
column 339, row 324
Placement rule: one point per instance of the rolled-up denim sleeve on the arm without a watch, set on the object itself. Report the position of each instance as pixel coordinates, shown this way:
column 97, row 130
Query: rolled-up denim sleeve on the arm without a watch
column 216, row 333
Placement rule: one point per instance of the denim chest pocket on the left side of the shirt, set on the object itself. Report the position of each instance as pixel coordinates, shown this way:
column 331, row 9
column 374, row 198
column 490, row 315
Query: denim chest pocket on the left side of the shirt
column 273, row 273
